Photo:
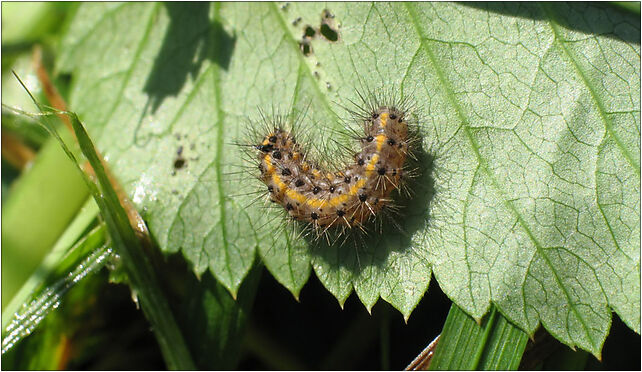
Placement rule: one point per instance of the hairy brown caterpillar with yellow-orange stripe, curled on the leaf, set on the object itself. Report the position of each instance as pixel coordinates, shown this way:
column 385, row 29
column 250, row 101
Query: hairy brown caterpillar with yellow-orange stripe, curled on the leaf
column 347, row 196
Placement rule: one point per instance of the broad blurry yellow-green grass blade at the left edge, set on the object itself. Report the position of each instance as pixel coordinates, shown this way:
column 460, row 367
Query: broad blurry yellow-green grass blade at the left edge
column 33, row 220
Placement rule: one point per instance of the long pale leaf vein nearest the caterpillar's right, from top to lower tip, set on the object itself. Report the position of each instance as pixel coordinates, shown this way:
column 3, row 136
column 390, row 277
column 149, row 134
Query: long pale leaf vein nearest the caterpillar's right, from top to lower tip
column 483, row 163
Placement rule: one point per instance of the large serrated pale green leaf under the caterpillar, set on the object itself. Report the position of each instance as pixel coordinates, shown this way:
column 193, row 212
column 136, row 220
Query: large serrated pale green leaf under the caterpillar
column 530, row 111
